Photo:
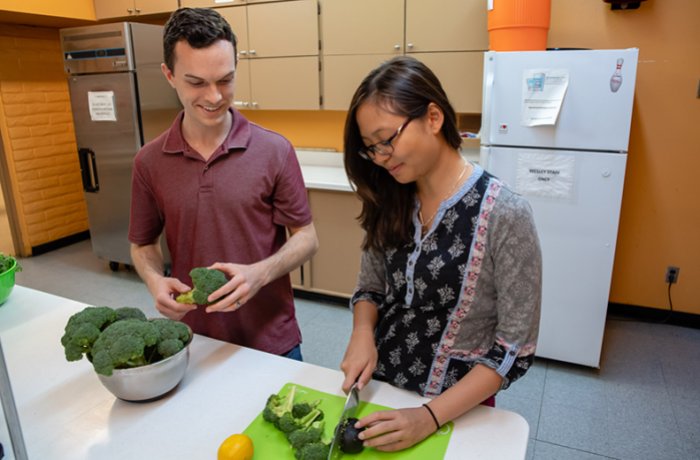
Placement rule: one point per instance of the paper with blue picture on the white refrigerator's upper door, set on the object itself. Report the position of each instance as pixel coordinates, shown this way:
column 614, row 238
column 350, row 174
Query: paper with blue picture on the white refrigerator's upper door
column 543, row 94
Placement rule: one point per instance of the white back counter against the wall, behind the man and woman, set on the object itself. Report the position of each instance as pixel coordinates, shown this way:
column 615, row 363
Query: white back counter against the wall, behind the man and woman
column 324, row 170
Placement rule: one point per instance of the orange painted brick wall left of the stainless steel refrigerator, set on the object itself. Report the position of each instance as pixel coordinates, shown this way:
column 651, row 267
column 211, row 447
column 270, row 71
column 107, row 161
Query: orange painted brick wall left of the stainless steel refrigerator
column 38, row 137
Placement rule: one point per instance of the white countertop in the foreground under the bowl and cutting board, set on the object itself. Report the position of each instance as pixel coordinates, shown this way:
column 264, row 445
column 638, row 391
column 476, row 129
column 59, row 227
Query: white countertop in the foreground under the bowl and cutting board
column 66, row 413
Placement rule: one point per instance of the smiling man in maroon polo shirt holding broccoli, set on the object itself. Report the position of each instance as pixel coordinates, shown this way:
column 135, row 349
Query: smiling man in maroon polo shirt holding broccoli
column 226, row 191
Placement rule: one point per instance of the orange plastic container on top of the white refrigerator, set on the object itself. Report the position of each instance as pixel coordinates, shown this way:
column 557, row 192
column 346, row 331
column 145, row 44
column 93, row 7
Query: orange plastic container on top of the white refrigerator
column 518, row 25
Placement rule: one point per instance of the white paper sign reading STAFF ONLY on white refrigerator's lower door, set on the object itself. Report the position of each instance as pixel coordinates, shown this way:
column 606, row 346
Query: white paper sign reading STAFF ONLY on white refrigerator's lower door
column 546, row 175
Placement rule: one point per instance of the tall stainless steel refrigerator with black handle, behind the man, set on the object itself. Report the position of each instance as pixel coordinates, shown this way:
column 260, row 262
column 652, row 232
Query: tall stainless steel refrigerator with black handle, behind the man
column 120, row 100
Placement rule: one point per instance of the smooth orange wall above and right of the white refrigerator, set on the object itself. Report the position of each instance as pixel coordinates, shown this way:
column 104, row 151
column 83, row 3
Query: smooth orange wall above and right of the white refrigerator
column 660, row 221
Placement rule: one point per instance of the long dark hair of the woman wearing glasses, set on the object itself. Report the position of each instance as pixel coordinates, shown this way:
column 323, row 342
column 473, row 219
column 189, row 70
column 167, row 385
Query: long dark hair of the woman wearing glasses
column 403, row 86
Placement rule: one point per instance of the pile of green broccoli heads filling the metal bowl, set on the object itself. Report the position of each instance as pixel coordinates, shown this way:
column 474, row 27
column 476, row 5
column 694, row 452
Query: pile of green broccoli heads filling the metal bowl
column 121, row 338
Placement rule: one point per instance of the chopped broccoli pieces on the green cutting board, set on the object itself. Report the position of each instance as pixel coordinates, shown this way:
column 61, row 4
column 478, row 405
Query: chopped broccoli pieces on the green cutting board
column 302, row 423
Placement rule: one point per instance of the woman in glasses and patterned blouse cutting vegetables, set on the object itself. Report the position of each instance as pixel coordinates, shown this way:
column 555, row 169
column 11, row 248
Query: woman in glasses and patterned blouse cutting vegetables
column 448, row 295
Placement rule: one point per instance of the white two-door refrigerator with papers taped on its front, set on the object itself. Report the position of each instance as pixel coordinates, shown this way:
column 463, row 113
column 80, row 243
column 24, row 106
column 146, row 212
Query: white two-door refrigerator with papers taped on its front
column 555, row 127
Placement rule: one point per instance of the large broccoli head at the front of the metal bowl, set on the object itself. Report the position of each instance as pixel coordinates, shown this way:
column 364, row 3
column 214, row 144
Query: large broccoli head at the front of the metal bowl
column 123, row 344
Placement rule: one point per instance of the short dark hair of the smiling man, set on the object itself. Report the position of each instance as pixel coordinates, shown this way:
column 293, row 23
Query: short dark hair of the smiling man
column 201, row 27
